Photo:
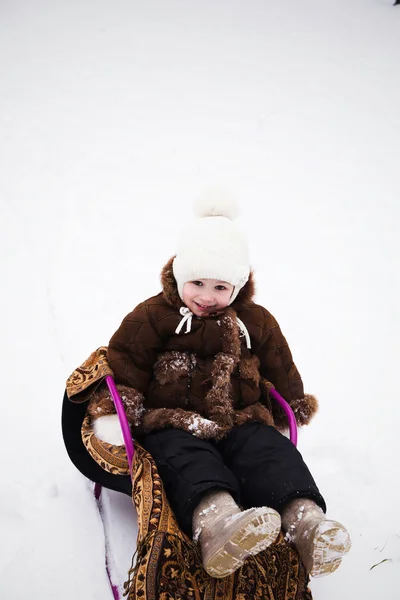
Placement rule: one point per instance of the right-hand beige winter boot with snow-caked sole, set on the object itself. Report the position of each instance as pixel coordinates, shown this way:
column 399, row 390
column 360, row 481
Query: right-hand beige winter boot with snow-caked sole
column 320, row 542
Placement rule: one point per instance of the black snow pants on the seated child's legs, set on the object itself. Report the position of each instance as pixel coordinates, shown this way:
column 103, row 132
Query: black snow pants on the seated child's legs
column 255, row 463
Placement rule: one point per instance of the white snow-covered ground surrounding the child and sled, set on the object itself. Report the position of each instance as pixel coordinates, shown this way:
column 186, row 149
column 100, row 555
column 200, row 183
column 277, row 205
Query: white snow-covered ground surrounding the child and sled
column 113, row 115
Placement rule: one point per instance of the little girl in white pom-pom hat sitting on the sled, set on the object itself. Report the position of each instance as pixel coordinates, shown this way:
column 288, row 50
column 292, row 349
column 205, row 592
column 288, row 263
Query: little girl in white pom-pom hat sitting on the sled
column 194, row 366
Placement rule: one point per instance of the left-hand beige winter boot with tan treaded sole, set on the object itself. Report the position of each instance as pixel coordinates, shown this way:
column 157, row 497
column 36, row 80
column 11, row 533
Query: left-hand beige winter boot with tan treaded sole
column 227, row 535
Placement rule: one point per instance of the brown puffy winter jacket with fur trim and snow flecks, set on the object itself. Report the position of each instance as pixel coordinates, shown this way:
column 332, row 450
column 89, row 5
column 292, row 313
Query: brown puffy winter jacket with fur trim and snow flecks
column 205, row 381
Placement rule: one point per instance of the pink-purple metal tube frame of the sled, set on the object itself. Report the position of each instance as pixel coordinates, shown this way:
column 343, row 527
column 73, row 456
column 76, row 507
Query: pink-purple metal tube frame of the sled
column 130, row 450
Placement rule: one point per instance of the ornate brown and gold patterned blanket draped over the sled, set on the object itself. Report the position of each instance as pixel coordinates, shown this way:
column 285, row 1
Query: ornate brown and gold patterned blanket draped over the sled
column 167, row 564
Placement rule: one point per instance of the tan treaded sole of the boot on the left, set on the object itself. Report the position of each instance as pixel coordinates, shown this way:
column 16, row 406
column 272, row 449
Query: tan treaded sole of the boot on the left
column 252, row 531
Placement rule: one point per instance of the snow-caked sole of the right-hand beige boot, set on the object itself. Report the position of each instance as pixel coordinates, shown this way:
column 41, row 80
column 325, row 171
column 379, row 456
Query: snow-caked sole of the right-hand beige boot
column 331, row 543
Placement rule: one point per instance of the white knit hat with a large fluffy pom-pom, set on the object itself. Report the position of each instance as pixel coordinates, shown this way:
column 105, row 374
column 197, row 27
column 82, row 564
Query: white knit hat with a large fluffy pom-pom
column 212, row 247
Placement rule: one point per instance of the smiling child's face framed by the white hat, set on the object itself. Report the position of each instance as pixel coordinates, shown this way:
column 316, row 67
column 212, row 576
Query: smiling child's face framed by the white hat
column 205, row 296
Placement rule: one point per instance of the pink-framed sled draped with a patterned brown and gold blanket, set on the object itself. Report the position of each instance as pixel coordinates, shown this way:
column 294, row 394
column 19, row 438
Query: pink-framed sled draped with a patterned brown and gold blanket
column 167, row 564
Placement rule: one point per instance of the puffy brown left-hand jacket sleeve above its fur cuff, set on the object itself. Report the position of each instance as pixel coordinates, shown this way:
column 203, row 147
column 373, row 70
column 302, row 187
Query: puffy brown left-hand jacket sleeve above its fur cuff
column 133, row 350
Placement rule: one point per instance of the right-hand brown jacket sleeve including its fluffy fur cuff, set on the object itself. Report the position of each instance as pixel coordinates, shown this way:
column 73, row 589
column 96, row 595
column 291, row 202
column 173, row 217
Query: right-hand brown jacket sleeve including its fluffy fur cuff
column 278, row 368
